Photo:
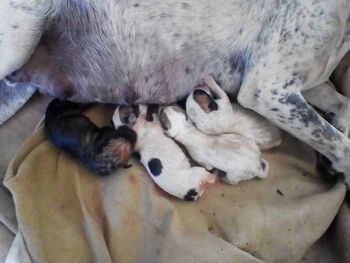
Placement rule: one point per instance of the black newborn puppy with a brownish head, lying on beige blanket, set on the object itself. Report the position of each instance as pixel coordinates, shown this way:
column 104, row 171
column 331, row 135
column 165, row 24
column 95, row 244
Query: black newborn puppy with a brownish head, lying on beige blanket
column 101, row 150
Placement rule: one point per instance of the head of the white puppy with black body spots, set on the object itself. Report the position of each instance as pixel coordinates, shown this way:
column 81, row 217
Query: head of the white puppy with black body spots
column 125, row 115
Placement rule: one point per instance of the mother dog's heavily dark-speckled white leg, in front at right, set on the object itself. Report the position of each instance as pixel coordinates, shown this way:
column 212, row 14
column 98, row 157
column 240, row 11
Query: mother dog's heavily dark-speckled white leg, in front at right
column 288, row 109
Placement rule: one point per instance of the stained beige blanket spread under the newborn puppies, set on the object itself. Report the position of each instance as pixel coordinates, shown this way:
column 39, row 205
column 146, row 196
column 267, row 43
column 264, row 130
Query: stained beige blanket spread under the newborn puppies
column 67, row 214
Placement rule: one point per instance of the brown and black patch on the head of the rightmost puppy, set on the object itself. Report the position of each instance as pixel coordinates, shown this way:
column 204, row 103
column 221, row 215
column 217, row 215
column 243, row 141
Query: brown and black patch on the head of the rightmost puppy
column 203, row 97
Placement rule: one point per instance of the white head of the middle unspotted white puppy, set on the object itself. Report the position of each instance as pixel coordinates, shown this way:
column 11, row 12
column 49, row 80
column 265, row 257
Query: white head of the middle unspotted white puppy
column 173, row 120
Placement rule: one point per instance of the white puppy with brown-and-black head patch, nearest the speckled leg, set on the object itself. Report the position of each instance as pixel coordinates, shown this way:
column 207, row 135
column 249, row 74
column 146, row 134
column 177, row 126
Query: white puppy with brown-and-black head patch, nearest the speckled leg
column 218, row 115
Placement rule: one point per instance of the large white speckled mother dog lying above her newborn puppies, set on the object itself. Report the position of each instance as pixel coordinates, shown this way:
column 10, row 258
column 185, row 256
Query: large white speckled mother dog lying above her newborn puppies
column 265, row 52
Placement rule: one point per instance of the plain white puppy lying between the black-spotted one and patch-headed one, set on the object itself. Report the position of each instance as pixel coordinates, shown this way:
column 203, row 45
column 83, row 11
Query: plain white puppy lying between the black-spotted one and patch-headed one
column 234, row 154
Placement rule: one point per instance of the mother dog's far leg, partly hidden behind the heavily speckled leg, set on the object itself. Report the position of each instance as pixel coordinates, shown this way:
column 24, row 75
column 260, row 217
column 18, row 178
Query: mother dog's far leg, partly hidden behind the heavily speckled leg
column 327, row 99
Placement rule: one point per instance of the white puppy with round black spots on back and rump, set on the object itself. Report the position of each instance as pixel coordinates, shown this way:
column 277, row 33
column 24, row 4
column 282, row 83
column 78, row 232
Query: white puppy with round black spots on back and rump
column 161, row 156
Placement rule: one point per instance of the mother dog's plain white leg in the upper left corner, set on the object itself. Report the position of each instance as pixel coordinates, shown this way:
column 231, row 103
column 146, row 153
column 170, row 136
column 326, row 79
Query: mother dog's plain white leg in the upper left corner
column 21, row 25
